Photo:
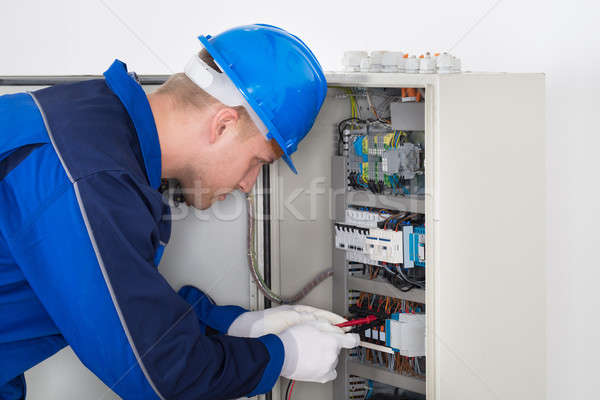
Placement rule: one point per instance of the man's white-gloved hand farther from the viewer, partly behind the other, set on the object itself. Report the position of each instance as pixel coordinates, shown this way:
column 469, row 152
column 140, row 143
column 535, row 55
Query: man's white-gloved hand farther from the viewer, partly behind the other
column 277, row 319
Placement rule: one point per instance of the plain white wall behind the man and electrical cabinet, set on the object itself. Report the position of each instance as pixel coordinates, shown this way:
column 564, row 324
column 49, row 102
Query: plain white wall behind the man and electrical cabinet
column 559, row 38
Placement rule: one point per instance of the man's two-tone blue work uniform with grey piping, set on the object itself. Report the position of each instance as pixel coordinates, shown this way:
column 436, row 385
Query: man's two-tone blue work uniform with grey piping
column 82, row 229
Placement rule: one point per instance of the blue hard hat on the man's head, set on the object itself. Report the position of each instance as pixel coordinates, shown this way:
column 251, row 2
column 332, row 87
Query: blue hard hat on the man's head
column 277, row 74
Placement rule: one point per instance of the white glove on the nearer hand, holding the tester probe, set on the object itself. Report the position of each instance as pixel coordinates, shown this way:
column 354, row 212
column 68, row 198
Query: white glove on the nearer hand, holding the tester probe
column 312, row 349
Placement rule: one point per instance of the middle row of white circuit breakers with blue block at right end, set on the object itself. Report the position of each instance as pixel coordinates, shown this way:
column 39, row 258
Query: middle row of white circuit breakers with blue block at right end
column 374, row 236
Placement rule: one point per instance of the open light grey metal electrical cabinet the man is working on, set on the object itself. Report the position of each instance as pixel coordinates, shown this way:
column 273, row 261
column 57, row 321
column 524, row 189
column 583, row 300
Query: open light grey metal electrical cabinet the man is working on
column 483, row 237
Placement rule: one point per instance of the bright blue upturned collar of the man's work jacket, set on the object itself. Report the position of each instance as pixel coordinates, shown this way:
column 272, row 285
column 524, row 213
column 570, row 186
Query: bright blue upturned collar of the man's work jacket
column 136, row 103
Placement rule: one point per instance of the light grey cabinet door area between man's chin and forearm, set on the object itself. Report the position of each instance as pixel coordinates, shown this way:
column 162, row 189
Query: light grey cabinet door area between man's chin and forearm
column 208, row 250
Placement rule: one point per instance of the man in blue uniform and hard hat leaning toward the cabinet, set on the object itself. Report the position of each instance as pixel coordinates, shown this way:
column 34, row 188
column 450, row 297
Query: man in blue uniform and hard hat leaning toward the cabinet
column 83, row 226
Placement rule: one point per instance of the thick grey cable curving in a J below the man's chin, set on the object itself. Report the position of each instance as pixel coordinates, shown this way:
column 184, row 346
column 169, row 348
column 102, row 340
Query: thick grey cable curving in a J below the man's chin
column 257, row 276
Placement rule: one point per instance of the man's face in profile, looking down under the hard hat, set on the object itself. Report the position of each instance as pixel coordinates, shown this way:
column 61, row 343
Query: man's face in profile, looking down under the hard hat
column 231, row 160
